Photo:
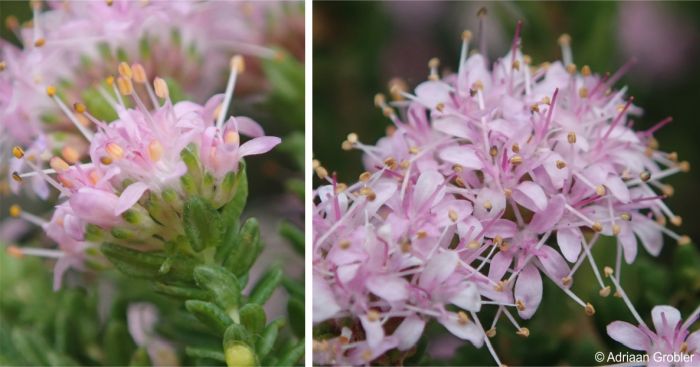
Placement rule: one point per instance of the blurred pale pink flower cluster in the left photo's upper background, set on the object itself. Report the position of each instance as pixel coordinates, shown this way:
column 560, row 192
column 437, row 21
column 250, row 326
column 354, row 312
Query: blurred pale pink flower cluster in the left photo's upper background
column 91, row 38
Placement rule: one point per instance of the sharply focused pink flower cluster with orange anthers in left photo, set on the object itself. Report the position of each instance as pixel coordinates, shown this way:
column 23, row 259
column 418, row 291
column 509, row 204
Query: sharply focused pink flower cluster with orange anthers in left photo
column 142, row 168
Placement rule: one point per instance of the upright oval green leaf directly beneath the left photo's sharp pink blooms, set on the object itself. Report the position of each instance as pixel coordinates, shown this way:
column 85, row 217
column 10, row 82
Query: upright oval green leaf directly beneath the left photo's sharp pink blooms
column 202, row 224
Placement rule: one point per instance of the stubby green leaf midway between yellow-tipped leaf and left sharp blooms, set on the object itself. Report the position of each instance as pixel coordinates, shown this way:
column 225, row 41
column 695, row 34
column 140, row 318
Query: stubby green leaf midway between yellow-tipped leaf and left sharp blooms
column 221, row 283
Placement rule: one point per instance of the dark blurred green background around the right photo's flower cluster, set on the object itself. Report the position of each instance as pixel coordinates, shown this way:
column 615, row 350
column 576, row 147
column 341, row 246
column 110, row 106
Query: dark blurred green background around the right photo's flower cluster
column 359, row 46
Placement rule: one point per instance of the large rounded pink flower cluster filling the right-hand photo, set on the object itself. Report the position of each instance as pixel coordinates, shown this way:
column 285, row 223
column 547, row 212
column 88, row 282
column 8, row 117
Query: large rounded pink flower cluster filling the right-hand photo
column 489, row 180
